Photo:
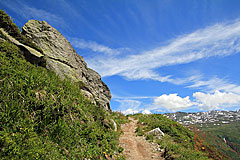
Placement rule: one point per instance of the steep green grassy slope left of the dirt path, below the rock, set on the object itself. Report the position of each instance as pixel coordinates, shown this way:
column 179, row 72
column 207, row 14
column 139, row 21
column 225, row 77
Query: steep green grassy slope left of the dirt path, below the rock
column 43, row 117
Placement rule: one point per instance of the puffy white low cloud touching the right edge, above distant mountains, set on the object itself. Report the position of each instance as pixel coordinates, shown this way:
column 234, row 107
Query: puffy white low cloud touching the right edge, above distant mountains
column 217, row 100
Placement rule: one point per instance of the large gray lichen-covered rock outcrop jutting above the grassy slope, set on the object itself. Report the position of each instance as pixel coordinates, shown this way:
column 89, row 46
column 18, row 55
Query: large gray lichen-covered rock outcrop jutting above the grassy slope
column 63, row 59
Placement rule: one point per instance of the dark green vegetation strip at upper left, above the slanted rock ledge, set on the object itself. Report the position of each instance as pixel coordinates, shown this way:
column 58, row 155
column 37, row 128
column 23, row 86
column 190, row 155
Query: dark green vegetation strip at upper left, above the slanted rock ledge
column 12, row 29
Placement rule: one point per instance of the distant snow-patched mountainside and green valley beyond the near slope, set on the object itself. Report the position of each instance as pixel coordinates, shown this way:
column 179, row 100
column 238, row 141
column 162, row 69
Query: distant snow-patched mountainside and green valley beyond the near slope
column 219, row 128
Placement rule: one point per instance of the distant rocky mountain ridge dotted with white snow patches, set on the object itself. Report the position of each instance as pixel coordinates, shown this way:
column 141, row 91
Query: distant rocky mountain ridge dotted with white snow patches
column 201, row 118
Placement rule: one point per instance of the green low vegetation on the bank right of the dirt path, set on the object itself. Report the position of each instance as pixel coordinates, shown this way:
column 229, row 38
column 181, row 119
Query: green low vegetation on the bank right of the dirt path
column 178, row 142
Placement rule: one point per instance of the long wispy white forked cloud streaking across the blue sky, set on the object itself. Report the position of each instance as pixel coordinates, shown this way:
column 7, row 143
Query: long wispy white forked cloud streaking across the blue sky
column 217, row 40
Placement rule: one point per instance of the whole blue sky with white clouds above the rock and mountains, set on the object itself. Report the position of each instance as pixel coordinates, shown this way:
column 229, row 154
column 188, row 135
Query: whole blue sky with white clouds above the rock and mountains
column 155, row 55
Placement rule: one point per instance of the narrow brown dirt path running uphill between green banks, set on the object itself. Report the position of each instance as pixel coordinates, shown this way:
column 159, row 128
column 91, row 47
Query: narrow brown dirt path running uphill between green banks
column 136, row 148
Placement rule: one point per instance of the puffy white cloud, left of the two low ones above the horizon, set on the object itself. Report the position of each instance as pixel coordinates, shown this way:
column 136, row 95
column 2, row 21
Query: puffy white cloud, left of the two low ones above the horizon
column 173, row 102
